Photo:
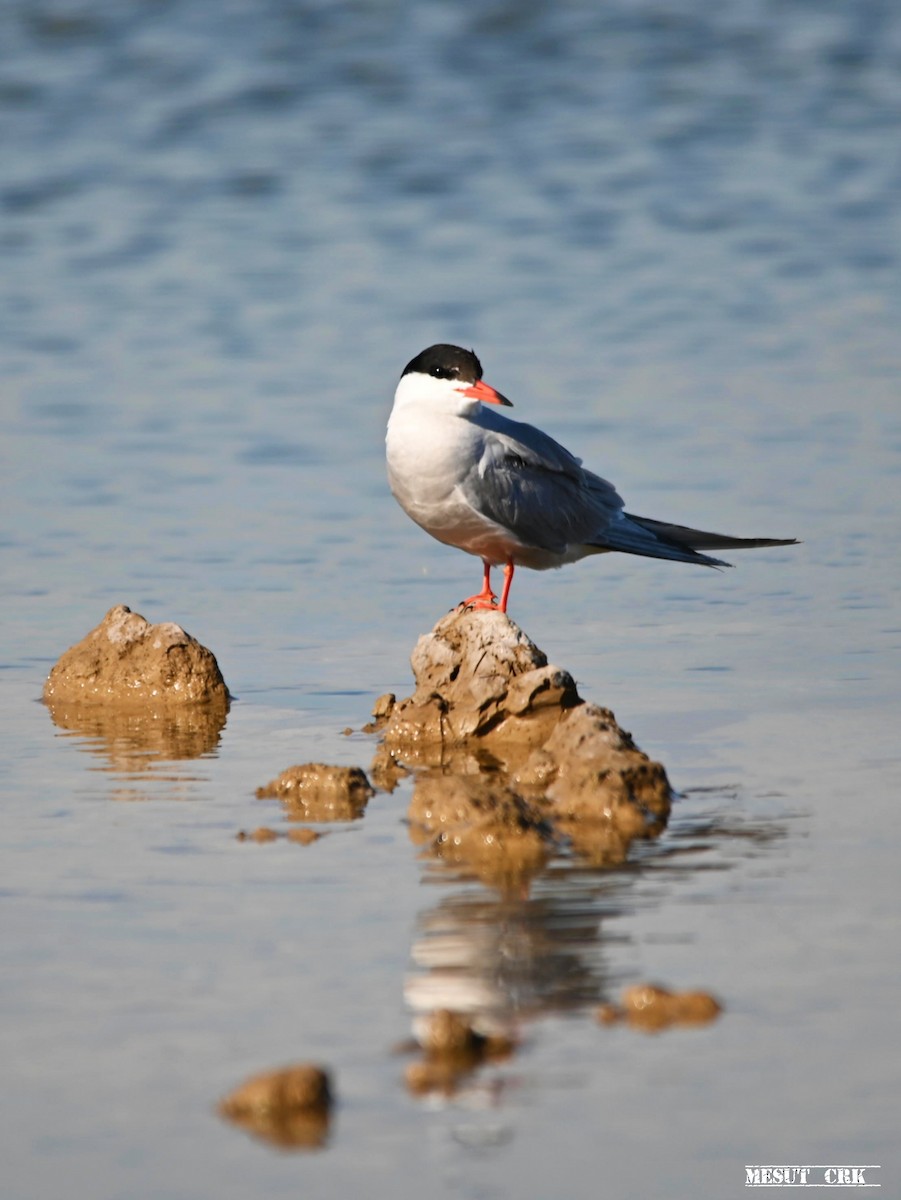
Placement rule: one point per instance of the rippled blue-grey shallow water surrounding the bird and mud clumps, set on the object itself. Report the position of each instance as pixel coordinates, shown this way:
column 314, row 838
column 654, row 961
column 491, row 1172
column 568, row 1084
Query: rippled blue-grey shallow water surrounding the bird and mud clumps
column 672, row 236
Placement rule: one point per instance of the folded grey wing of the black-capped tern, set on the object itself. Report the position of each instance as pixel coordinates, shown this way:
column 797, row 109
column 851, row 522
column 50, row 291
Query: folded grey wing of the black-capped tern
column 534, row 488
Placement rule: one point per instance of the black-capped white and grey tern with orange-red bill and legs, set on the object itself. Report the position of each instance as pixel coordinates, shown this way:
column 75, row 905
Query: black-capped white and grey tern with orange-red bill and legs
column 506, row 491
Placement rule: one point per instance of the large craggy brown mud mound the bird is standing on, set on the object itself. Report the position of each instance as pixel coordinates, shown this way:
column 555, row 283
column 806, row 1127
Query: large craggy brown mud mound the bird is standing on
column 508, row 757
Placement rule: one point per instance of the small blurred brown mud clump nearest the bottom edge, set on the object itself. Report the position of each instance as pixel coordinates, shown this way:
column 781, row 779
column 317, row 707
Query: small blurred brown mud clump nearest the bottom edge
column 290, row 1108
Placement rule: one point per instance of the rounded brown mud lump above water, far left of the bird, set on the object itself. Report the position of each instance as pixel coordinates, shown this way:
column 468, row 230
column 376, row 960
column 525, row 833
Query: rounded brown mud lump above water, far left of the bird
column 128, row 663
